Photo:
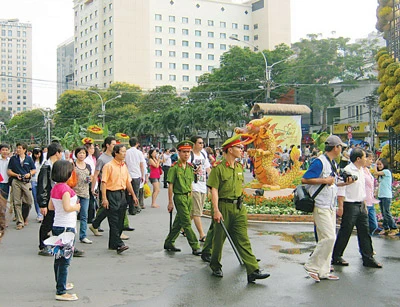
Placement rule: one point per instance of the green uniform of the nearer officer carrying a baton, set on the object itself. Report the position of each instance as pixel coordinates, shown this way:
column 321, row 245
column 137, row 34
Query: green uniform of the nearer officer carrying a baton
column 228, row 181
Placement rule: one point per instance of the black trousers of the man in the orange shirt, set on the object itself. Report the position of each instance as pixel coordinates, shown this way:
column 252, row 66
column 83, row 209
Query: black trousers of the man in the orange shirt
column 115, row 214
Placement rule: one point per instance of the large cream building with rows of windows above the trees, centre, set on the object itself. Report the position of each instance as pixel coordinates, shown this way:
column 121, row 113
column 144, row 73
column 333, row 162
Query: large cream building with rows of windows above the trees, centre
column 157, row 42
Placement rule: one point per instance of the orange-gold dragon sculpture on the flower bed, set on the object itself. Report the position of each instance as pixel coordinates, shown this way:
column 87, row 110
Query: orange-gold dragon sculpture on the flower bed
column 261, row 133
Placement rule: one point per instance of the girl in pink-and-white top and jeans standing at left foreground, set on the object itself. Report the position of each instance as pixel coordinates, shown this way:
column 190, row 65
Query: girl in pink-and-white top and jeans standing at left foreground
column 64, row 203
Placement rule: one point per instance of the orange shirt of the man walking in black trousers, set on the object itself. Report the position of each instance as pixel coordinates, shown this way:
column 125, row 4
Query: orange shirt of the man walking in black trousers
column 115, row 175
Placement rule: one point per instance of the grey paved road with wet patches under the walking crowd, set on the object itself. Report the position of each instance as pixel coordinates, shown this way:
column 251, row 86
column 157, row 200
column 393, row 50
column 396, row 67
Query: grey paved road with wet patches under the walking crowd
column 145, row 275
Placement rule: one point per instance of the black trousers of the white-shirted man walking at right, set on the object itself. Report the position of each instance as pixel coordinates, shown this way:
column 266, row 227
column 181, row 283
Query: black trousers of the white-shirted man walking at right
column 353, row 215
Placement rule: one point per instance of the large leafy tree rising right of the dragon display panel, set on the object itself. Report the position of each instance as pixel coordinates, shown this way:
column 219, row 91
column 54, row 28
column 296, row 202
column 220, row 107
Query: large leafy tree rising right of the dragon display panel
column 321, row 62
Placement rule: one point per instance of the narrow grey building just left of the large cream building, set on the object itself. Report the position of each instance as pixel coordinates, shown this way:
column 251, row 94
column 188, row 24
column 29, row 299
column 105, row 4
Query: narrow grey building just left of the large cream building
column 65, row 66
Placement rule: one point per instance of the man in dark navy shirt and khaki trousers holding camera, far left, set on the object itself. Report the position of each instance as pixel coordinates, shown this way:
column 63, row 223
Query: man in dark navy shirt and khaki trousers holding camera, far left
column 21, row 168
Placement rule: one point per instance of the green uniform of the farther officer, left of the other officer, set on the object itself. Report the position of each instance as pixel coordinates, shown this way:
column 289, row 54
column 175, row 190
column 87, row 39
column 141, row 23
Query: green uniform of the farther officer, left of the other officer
column 182, row 178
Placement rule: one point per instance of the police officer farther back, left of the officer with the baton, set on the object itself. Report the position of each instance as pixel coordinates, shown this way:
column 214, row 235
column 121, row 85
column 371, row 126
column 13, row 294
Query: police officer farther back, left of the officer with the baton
column 180, row 177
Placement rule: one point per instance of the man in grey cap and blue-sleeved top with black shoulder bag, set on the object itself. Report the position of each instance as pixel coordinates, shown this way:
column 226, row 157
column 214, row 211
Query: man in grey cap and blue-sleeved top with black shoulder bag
column 323, row 173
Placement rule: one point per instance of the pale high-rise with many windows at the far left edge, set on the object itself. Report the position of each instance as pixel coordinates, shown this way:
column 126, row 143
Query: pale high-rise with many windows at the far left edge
column 16, row 65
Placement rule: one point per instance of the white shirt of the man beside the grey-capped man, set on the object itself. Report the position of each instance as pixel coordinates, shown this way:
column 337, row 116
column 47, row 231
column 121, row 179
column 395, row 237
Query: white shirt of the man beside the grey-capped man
column 354, row 192
